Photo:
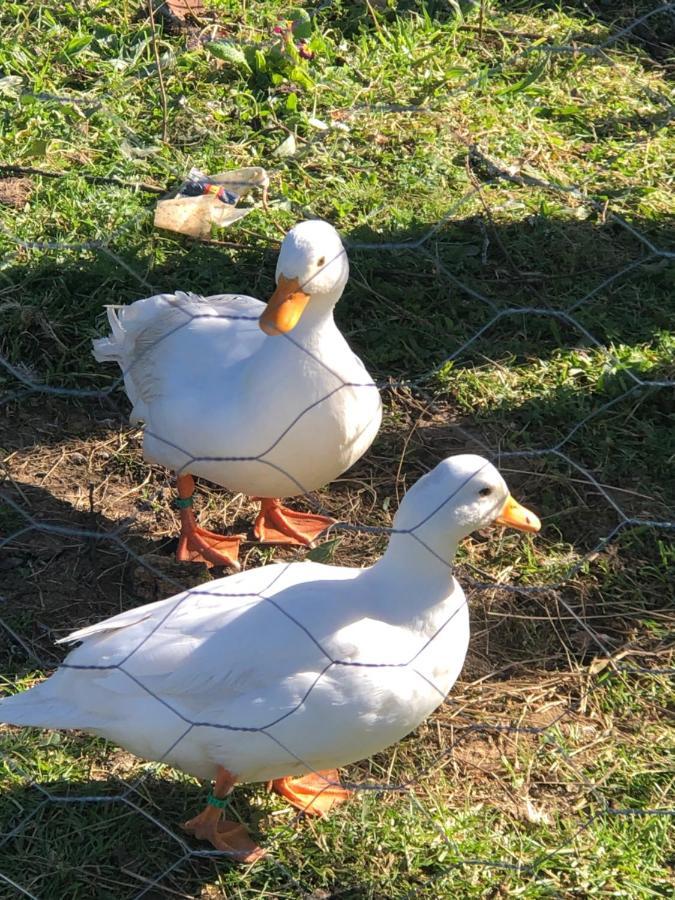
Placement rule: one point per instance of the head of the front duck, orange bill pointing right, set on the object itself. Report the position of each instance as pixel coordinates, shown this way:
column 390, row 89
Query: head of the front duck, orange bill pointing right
column 462, row 494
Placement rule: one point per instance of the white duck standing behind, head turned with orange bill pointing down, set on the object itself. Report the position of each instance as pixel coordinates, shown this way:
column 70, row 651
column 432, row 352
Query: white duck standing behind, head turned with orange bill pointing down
column 226, row 393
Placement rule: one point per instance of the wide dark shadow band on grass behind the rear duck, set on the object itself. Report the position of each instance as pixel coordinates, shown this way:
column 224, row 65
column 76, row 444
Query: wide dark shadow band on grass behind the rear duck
column 404, row 311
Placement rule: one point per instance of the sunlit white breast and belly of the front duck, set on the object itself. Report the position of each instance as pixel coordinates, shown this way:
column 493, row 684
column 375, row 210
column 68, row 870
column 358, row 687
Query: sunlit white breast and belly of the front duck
column 380, row 682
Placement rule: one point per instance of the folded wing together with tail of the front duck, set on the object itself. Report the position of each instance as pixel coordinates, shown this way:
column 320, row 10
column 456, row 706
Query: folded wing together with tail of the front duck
column 202, row 653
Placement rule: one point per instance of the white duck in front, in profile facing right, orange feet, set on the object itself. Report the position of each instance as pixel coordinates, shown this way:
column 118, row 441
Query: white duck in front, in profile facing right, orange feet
column 287, row 669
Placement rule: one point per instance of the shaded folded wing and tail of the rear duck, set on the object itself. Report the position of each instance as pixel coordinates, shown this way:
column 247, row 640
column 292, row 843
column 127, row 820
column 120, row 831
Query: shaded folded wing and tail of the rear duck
column 150, row 336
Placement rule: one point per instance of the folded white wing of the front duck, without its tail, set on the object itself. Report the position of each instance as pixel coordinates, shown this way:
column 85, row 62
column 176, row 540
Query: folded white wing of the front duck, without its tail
column 221, row 653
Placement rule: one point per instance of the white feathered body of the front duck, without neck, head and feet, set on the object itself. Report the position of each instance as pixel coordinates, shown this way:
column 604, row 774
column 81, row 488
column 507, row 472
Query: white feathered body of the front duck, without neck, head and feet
column 321, row 682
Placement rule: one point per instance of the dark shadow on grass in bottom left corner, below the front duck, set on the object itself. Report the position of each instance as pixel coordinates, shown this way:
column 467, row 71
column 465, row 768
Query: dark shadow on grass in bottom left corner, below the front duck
column 121, row 847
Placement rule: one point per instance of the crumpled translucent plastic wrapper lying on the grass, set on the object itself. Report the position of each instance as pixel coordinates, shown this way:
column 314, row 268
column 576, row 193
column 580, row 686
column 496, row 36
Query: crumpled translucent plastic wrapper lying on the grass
column 205, row 200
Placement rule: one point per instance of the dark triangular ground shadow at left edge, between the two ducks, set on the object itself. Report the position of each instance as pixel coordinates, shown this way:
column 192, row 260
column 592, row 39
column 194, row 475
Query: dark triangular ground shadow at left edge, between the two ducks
column 65, row 567
